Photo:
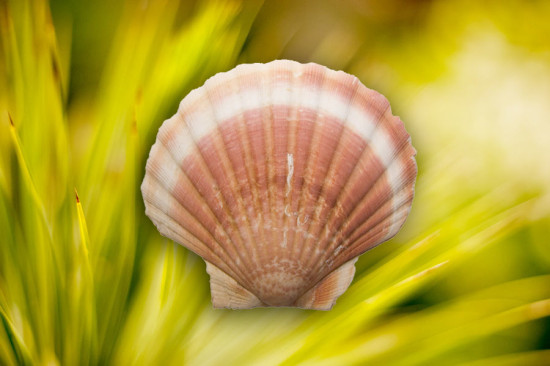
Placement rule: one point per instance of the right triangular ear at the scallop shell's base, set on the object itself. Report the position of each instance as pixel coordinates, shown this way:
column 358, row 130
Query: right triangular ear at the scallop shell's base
column 324, row 294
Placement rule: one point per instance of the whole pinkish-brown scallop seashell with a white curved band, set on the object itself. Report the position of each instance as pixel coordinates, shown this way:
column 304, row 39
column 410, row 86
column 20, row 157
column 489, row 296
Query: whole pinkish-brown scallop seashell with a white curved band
column 279, row 176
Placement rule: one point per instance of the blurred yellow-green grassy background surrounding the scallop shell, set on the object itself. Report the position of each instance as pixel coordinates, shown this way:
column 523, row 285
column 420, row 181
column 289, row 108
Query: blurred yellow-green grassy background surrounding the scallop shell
column 90, row 281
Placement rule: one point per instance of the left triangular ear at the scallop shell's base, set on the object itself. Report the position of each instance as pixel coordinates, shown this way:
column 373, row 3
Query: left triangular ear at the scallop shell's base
column 227, row 293
